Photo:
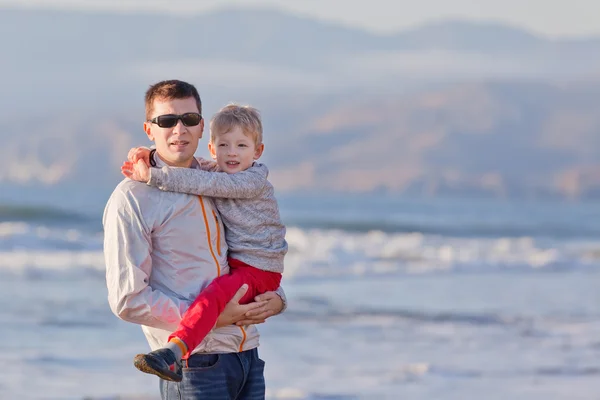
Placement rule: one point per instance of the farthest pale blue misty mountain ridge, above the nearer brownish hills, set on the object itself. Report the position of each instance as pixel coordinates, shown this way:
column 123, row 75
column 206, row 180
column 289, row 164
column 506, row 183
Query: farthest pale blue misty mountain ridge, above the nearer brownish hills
column 66, row 50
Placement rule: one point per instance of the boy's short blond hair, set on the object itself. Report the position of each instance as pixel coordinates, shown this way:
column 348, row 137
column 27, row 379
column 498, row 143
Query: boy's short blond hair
column 234, row 115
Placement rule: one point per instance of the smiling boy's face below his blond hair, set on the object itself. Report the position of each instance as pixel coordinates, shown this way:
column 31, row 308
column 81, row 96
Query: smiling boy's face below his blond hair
column 235, row 151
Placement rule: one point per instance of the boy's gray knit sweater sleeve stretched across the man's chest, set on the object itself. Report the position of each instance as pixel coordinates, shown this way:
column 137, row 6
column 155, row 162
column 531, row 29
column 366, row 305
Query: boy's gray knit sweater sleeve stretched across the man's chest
column 241, row 185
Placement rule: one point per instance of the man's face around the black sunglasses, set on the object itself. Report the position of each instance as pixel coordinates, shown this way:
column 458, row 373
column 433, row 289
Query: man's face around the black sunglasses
column 175, row 146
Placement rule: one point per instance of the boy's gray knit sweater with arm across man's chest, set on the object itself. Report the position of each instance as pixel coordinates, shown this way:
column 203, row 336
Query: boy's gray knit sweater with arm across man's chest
column 254, row 232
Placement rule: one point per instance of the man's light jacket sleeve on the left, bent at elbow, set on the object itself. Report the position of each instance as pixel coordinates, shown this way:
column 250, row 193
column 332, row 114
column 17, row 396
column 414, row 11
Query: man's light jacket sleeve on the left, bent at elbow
column 127, row 245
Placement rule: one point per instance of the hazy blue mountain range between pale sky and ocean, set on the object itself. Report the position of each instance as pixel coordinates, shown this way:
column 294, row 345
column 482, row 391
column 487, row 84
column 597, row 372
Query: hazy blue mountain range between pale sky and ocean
column 450, row 107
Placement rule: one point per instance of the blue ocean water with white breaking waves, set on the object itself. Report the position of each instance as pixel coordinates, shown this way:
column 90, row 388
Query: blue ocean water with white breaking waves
column 389, row 299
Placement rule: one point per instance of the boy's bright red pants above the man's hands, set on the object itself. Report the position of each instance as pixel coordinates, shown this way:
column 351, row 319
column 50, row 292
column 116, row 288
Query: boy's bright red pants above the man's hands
column 202, row 315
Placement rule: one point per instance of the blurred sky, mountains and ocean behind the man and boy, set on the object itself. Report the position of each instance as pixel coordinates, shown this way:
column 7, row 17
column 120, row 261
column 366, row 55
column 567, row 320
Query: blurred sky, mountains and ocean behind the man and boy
column 437, row 165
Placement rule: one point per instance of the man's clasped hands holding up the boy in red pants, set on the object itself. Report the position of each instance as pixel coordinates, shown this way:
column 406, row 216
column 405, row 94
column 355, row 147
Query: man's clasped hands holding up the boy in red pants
column 264, row 306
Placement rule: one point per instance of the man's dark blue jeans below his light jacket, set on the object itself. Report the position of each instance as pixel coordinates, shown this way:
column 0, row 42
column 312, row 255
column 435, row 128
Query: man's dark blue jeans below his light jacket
column 229, row 376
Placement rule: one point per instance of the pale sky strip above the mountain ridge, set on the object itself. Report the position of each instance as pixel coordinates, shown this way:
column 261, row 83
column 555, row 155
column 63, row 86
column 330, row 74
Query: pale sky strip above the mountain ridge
column 553, row 18
